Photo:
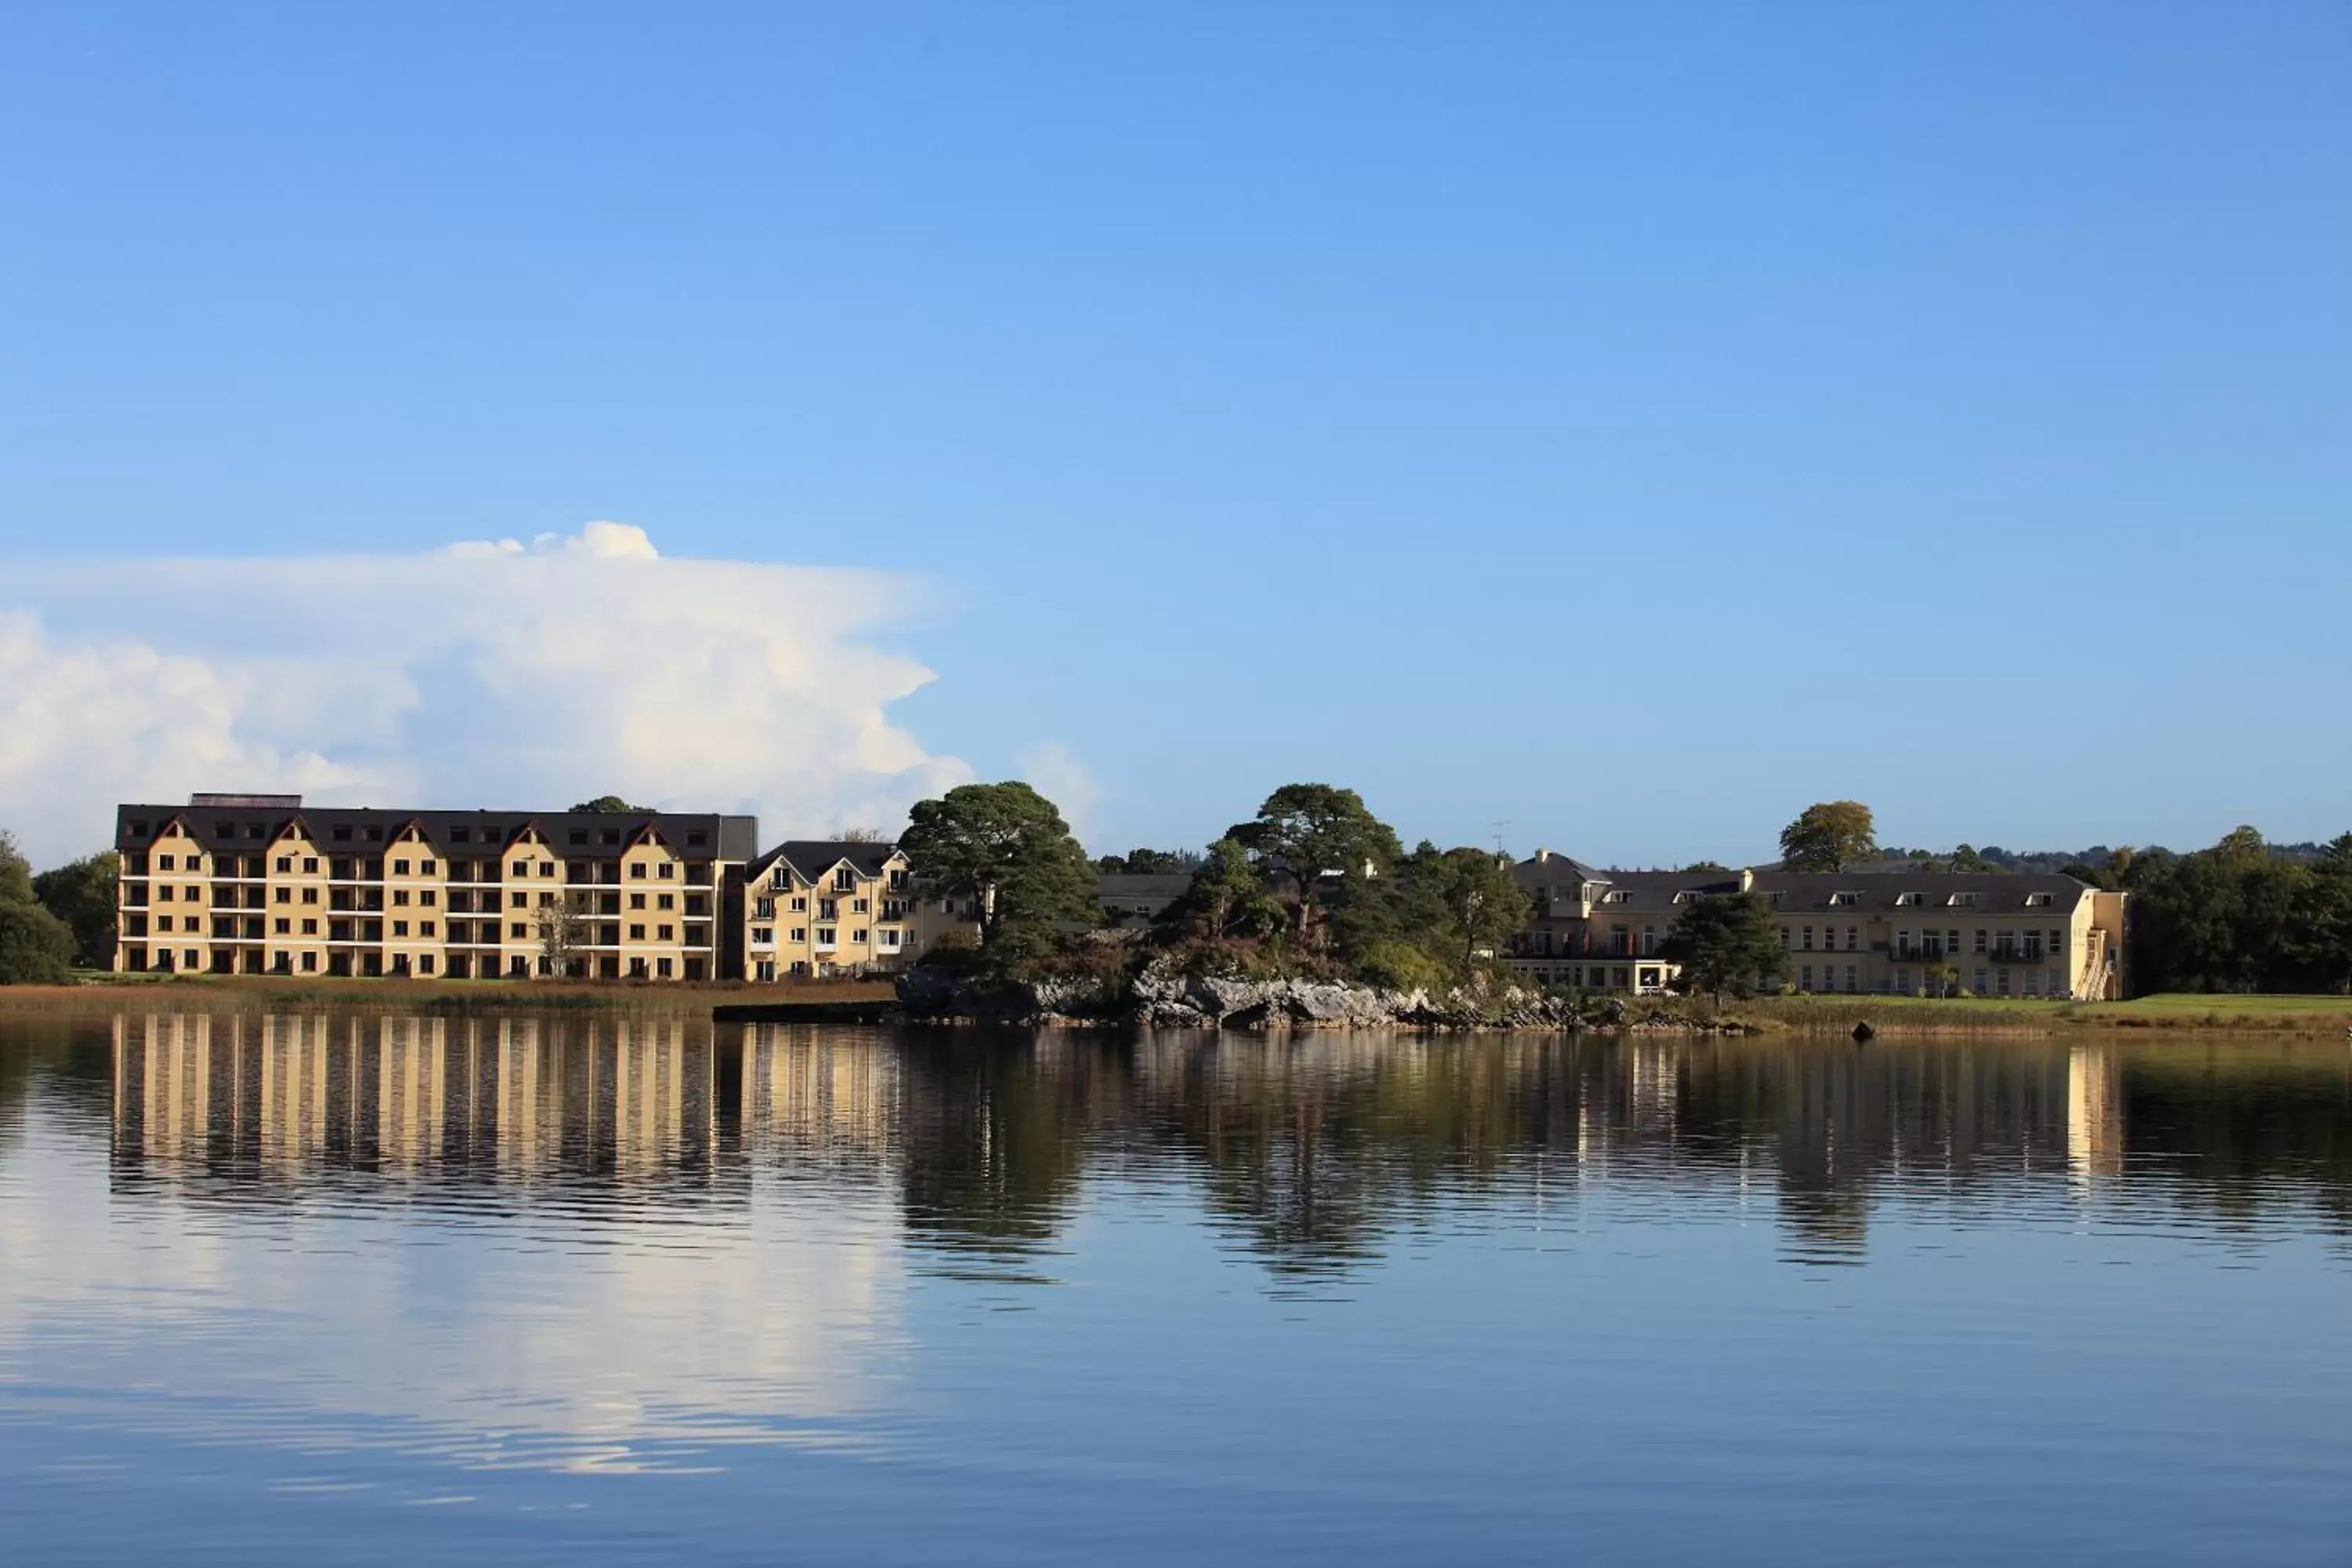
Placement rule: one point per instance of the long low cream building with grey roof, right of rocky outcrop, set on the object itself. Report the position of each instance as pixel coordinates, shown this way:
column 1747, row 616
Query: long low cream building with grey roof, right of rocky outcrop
column 1850, row 932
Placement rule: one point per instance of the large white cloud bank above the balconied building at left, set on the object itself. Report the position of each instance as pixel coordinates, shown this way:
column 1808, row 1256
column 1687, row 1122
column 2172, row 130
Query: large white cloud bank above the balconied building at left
column 479, row 676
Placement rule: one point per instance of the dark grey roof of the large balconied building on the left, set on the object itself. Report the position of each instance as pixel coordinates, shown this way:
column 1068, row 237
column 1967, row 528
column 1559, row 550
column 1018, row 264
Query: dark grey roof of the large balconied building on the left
column 577, row 836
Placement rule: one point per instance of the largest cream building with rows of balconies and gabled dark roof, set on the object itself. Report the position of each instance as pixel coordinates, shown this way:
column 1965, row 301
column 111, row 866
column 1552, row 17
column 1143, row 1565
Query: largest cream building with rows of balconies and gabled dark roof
column 262, row 885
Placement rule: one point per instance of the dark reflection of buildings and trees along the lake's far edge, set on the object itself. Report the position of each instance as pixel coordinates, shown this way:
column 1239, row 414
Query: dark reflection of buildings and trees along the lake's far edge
column 1309, row 1153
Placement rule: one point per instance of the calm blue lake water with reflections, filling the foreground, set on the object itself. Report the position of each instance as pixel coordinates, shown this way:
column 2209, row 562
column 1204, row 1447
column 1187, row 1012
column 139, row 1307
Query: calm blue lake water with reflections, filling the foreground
column 554, row 1289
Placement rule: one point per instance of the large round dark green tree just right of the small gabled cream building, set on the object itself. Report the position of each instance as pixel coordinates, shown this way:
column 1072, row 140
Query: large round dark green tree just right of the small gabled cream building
column 1008, row 850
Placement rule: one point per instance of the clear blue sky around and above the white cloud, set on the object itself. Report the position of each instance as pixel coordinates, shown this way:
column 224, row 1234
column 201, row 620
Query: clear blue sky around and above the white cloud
column 1629, row 424
